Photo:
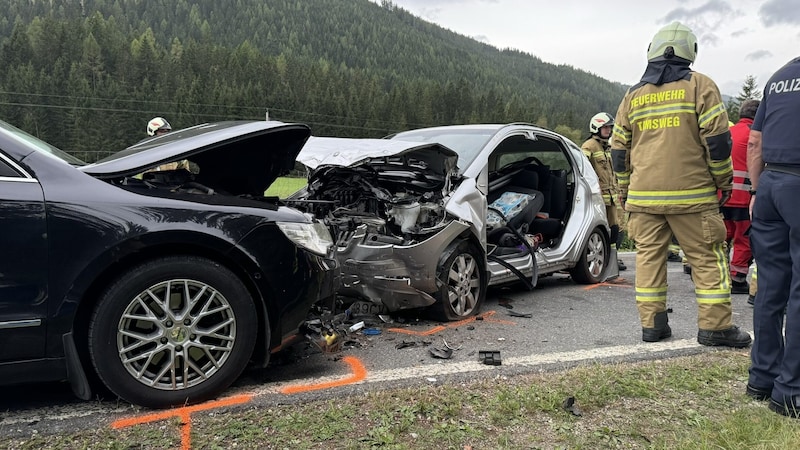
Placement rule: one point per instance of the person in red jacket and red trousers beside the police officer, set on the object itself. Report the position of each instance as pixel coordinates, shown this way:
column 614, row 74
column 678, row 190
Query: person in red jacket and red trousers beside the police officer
column 736, row 210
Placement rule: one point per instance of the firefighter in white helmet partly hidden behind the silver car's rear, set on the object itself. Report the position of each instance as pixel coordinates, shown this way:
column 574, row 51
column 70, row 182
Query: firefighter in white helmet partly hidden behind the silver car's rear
column 596, row 148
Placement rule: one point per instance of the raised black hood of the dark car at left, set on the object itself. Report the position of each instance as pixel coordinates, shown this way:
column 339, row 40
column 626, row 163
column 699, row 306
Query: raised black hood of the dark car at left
column 239, row 157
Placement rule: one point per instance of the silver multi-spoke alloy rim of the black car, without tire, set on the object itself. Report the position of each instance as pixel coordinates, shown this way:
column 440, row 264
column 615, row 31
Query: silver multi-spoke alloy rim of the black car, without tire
column 176, row 334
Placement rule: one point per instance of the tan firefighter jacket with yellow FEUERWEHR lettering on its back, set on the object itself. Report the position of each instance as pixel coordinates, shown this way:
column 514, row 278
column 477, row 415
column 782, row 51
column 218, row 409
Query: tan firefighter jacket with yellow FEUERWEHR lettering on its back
column 671, row 146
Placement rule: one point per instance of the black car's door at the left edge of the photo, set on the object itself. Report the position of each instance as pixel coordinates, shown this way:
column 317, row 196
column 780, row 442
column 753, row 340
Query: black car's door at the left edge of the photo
column 23, row 264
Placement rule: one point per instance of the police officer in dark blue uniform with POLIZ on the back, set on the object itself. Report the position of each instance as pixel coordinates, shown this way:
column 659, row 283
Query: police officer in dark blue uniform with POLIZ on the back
column 773, row 156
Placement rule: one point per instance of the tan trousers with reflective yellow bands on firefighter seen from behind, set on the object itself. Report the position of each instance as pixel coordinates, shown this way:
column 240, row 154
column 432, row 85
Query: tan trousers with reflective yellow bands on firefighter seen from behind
column 702, row 238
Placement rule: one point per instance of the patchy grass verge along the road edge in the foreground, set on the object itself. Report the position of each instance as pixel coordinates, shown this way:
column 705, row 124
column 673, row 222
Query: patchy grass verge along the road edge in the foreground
column 694, row 402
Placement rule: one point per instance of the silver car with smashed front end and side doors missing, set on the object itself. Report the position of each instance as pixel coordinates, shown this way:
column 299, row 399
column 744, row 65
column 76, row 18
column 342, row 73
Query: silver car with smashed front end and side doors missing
column 430, row 218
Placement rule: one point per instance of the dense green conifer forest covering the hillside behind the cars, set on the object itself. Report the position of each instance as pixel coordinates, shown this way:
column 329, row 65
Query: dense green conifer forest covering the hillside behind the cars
column 87, row 76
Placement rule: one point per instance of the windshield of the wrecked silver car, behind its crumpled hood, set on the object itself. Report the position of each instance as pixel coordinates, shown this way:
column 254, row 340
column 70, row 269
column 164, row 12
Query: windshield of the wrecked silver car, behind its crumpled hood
column 467, row 142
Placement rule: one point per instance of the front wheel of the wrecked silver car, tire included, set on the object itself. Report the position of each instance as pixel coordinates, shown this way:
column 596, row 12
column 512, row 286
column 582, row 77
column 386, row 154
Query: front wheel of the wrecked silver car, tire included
column 462, row 282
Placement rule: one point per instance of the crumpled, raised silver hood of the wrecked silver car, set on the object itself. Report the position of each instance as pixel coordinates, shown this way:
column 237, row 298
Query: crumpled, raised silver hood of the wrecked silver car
column 349, row 152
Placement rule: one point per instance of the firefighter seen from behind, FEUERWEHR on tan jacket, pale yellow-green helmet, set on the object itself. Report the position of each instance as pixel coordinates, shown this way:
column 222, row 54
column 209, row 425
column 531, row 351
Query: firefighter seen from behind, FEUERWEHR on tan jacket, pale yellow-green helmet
column 671, row 153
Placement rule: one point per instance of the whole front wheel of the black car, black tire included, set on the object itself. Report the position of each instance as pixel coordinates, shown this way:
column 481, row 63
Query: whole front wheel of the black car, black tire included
column 136, row 339
